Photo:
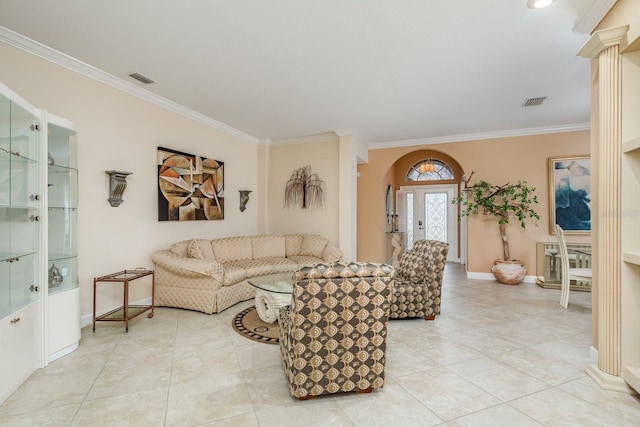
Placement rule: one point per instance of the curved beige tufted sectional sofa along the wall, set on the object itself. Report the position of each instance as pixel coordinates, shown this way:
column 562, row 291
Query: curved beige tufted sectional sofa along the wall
column 211, row 275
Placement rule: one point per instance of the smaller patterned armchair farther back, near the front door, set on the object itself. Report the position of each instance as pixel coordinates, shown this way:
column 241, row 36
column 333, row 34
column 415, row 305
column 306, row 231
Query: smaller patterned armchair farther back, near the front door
column 418, row 282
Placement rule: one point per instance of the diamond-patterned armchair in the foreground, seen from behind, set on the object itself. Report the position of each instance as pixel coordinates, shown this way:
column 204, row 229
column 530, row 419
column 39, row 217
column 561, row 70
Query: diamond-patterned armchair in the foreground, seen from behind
column 333, row 335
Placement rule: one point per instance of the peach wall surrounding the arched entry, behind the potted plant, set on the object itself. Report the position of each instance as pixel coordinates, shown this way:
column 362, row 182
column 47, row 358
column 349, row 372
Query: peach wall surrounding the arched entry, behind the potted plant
column 495, row 160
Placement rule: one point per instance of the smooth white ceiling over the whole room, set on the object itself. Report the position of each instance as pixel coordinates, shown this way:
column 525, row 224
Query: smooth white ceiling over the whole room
column 390, row 70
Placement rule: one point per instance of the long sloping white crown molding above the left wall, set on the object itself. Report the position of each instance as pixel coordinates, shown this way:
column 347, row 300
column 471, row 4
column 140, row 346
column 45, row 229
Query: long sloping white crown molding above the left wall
column 21, row 42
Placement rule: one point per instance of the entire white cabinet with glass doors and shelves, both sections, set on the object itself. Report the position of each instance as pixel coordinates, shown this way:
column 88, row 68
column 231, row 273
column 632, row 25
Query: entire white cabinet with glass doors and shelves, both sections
column 39, row 292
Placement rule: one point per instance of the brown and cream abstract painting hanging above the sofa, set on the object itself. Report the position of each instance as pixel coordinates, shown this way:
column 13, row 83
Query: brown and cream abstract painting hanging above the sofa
column 190, row 187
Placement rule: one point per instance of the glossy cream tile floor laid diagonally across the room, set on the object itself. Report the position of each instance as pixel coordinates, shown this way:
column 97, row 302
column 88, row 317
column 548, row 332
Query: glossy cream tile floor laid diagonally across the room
column 497, row 356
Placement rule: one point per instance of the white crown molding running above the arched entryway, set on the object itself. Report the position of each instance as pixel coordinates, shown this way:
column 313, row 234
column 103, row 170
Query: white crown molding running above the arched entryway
column 482, row 135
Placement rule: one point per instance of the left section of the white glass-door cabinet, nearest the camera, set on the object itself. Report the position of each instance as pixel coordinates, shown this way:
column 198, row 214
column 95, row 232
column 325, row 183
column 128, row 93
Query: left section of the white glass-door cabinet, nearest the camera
column 21, row 232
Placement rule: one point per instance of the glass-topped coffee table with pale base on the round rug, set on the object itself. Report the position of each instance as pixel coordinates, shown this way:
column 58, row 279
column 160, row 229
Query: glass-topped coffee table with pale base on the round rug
column 273, row 292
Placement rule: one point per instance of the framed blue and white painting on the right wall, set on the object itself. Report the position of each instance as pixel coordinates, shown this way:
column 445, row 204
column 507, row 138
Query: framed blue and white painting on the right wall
column 570, row 194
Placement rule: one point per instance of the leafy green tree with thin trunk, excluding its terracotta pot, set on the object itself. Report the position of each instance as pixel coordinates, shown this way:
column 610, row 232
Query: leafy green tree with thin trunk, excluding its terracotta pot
column 502, row 201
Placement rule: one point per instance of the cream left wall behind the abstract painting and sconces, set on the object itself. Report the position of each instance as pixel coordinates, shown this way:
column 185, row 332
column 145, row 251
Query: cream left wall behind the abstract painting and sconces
column 119, row 131
